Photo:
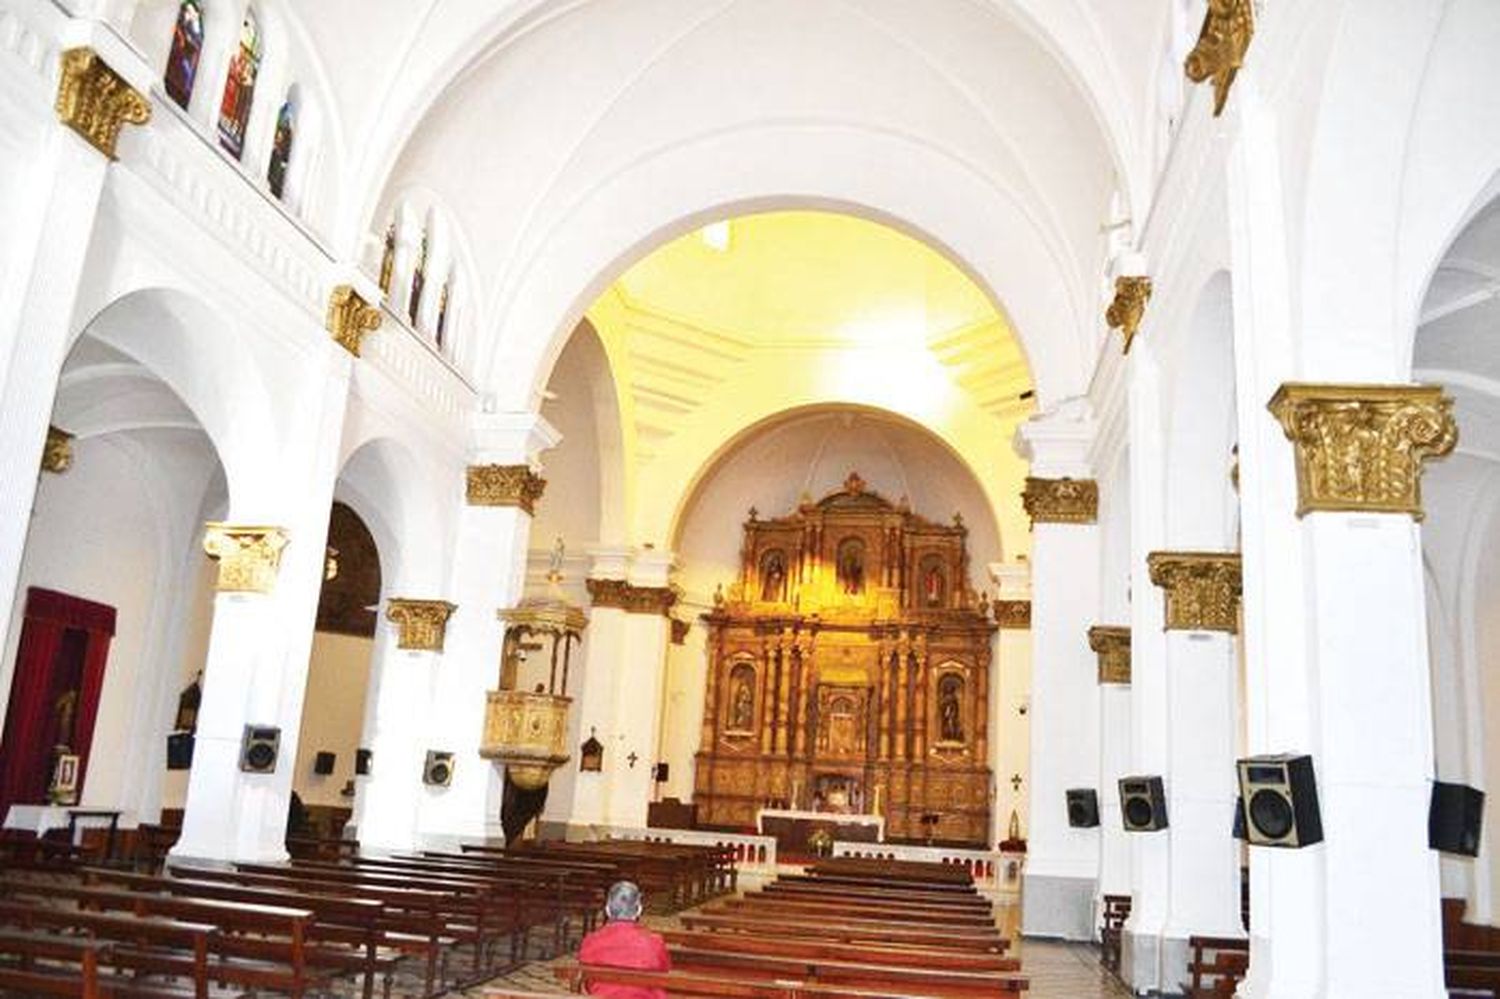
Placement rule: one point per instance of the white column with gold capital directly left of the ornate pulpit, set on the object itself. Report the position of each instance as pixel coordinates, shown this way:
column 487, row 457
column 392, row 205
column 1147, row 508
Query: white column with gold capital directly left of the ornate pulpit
column 490, row 571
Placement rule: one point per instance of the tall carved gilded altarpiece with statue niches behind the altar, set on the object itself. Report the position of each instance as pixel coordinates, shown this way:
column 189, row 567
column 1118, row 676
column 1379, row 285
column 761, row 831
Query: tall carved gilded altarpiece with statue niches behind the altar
column 850, row 673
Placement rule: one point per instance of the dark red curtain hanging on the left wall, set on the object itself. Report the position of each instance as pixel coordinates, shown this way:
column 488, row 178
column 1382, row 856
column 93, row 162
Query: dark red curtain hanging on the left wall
column 65, row 646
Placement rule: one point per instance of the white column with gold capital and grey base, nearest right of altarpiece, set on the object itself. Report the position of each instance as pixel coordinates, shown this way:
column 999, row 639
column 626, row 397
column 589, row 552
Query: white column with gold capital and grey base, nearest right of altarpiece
column 1063, row 862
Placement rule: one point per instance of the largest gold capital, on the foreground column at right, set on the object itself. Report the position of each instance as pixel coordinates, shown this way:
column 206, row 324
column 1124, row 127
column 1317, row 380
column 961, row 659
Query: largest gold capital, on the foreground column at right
column 1361, row 448
